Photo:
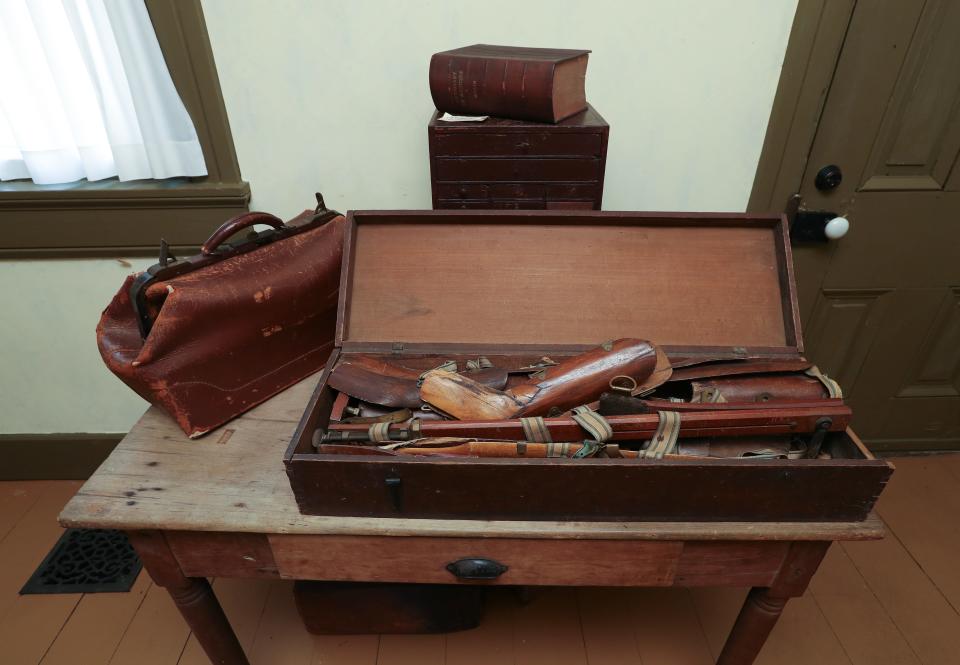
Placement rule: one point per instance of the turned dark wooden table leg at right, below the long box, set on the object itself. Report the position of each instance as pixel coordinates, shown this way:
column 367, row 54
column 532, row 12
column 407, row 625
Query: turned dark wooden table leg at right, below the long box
column 764, row 605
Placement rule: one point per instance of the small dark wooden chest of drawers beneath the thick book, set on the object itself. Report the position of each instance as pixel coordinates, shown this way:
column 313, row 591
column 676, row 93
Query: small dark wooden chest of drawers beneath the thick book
column 512, row 164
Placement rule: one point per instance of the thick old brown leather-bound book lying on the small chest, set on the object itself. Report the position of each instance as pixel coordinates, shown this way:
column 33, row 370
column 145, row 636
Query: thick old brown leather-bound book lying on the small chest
column 540, row 84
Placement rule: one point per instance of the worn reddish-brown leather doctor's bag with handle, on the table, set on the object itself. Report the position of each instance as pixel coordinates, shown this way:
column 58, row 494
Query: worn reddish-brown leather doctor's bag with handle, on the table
column 209, row 337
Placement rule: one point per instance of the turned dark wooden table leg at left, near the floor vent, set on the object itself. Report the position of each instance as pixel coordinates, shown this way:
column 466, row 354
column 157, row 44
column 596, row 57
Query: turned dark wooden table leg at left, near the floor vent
column 193, row 596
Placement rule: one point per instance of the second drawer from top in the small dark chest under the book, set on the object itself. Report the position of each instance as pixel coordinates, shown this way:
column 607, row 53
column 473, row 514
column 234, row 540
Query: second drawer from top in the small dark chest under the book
column 448, row 168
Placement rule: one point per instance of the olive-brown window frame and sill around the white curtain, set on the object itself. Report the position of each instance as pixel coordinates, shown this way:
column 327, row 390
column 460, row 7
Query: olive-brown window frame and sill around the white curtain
column 111, row 218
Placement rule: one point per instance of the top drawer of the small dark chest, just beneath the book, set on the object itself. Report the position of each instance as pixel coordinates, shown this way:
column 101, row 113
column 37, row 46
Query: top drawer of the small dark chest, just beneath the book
column 508, row 145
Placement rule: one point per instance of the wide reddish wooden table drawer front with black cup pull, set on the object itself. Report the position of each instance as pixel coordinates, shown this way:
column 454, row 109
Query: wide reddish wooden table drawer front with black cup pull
column 527, row 561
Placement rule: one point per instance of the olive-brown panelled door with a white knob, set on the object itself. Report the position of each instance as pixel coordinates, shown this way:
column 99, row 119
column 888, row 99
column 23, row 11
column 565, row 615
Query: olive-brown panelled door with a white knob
column 881, row 306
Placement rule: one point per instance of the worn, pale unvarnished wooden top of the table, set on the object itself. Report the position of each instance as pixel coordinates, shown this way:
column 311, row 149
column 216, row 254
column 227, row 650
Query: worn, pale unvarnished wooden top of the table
column 233, row 480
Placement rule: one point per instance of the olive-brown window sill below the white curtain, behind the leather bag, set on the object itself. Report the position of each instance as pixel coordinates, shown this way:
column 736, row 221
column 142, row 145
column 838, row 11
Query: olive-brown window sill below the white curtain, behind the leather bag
column 111, row 218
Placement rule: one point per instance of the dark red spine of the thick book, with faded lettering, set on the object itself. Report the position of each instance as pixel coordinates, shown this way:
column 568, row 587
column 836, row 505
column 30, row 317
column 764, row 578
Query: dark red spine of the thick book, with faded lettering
column 516, row 89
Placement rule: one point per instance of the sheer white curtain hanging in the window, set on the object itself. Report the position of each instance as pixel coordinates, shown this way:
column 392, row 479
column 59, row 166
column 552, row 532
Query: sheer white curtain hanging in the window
column 85, row 93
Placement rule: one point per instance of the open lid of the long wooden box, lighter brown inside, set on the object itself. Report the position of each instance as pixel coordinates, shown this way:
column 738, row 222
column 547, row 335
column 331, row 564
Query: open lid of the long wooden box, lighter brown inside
column 712, row 284
